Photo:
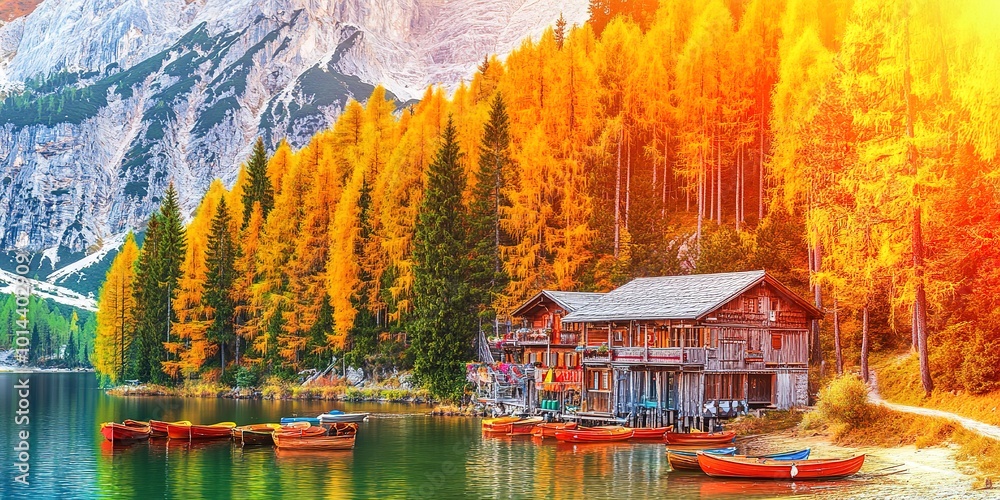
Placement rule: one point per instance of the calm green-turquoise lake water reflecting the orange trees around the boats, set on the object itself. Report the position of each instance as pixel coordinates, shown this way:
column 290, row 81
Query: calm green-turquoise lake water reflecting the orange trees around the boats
column 401, row 452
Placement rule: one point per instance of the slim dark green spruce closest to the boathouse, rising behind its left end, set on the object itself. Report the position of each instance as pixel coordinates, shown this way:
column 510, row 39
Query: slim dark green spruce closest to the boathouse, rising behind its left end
column 489, row 277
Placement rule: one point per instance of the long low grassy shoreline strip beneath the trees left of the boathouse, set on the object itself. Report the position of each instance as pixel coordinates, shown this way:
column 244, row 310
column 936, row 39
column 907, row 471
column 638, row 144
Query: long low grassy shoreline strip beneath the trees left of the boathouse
column 278, row 389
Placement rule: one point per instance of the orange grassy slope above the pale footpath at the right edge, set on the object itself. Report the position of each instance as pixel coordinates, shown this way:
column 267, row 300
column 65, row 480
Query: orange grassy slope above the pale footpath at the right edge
column 899, row 382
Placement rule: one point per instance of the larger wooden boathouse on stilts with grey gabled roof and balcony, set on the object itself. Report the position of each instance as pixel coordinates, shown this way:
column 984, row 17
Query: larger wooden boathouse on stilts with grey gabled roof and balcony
column 687, row 350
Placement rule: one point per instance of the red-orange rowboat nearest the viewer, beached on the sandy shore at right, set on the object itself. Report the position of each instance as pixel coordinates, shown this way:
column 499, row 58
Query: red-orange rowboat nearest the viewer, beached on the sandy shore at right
column 767, row 468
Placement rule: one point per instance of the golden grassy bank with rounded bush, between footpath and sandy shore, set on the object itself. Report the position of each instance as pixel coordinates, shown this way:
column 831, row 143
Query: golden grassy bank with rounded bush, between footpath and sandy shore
column 845, row 414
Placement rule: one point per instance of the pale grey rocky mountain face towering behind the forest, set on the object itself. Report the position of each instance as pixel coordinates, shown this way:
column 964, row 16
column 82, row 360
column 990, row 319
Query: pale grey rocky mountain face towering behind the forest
column 108, row 101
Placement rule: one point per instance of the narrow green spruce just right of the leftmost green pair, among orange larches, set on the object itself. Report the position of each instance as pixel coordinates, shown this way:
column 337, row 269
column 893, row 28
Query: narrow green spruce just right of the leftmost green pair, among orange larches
column 220, row 258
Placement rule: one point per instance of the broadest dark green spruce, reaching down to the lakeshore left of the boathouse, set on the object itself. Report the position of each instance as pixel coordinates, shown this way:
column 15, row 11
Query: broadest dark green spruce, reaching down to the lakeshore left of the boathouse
column 443, row 330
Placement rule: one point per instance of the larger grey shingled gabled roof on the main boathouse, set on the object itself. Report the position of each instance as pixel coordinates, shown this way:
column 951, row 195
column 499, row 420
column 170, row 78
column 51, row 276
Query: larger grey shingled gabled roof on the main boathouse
column 677, row 297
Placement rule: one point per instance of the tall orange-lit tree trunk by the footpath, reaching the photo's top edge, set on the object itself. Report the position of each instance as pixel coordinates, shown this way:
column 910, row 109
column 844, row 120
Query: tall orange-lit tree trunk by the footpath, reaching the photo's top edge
column 920, row 299
